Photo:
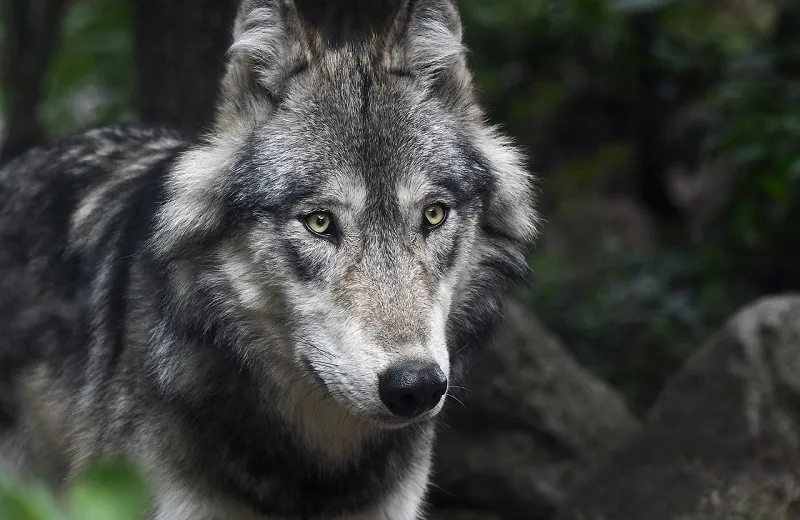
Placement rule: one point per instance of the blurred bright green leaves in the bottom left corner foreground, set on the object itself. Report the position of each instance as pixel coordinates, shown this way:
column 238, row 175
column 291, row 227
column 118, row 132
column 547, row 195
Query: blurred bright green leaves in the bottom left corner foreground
column 106, row 490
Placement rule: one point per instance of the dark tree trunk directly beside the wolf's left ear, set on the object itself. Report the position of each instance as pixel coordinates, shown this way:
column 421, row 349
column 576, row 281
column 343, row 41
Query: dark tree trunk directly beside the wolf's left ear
column 180, row 56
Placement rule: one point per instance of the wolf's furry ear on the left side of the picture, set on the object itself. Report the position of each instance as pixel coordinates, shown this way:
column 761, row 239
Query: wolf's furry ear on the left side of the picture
column 270, row 42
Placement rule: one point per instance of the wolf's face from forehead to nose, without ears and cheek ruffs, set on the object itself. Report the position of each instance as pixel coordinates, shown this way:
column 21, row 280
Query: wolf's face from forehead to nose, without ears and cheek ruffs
column 374, row 228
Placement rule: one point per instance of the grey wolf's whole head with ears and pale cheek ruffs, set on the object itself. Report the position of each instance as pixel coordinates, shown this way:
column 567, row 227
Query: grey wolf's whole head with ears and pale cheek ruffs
column 351, row 224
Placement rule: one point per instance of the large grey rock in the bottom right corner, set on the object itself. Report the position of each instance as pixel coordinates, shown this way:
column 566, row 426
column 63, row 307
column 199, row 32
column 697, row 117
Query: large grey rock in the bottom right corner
column 723, row 440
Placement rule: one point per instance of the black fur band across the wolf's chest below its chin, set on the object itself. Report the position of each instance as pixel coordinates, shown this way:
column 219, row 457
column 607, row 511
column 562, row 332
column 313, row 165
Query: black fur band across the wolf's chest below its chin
column 244, row 449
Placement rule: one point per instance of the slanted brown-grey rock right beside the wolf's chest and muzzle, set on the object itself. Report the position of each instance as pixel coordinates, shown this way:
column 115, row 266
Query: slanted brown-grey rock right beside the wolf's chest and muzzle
column 531, row 420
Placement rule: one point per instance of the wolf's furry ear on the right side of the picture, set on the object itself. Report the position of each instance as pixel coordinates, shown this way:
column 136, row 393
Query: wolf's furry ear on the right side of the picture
column 426, row 41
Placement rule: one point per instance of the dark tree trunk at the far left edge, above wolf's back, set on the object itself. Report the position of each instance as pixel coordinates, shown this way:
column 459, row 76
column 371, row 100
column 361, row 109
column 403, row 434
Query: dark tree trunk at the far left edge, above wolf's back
column 32, row 29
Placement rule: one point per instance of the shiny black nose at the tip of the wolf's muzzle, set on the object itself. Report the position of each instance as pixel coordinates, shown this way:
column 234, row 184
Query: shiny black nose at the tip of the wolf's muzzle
column 411, row 389
